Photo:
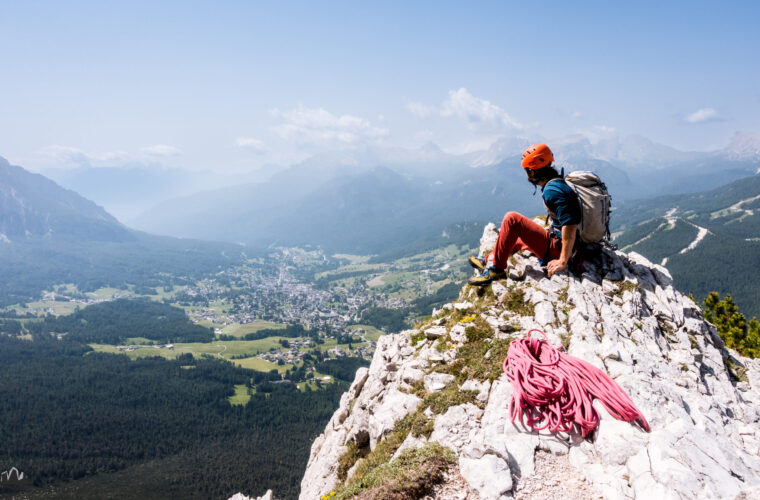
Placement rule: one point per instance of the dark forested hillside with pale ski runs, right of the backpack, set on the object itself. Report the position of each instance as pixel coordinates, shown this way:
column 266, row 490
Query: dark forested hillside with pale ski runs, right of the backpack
column 709, row 241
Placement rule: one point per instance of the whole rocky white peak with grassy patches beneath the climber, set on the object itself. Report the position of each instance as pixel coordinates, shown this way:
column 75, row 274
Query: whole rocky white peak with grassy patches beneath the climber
column 429, row 416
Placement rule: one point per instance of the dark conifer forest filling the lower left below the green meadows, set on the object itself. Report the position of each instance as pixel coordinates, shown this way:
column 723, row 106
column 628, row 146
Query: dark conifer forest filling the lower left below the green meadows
column 89, row 425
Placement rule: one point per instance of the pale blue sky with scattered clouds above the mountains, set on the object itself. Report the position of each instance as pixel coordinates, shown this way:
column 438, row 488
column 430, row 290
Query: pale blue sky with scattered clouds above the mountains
column 235, row 85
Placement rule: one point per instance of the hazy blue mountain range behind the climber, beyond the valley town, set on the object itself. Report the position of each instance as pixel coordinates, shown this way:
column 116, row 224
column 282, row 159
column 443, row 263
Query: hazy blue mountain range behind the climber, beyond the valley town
column 365, row 201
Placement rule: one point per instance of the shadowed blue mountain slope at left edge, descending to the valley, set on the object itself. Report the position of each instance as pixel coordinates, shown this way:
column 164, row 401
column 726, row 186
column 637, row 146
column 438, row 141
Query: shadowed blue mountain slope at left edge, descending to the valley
column 50, row 236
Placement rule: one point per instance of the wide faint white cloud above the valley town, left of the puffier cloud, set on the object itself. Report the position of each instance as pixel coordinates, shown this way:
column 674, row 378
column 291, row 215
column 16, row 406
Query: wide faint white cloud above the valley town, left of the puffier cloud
column 320, row 127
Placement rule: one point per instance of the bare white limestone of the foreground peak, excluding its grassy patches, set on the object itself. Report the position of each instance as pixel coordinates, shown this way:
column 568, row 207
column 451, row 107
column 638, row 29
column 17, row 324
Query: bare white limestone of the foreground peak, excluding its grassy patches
column 705, row 439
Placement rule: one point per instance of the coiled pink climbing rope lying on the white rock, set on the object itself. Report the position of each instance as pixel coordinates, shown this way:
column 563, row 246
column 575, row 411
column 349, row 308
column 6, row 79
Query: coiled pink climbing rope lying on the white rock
column 554, row 391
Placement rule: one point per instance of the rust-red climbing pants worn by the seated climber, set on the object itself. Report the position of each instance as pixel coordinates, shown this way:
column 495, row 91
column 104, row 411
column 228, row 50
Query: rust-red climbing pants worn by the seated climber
column 520, row 233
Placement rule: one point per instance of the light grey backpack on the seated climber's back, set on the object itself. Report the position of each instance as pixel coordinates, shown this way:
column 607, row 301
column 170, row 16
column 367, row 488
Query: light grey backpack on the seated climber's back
column 595, row 203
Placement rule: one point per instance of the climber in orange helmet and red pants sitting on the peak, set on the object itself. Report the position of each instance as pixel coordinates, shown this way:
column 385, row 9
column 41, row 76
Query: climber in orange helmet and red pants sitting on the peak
column 553, row 247
